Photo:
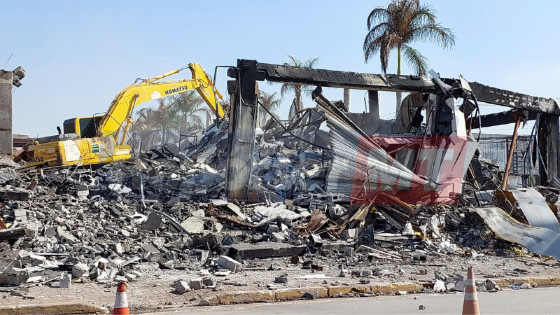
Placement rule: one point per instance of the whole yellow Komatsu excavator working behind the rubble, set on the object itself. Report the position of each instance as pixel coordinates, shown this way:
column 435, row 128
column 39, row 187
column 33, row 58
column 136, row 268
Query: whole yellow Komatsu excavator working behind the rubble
column 101, row 139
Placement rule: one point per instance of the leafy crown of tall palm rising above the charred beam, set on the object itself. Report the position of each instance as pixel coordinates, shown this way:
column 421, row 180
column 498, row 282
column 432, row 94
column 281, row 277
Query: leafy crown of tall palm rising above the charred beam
column 400, row 24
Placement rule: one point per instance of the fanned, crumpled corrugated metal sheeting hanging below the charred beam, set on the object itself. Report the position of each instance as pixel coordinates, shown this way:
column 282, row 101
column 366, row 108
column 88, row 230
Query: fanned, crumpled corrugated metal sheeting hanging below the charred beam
column 359, row 161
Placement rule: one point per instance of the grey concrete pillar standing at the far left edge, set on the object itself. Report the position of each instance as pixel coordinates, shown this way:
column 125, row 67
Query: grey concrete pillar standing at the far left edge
column 6, row 140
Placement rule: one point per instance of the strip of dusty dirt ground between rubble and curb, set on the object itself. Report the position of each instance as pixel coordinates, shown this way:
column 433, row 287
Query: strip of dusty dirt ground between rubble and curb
column 155, row 291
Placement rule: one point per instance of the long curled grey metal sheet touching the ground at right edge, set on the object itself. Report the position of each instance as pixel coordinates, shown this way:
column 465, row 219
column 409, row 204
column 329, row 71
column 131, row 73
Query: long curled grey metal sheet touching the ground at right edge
column 539, row 240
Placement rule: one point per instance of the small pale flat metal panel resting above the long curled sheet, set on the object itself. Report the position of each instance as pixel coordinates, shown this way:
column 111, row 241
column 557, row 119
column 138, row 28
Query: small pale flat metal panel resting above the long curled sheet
column 536, row 209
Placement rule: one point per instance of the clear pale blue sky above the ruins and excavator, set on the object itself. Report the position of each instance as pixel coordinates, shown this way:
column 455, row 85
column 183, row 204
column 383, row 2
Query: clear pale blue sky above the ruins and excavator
column 80, row 54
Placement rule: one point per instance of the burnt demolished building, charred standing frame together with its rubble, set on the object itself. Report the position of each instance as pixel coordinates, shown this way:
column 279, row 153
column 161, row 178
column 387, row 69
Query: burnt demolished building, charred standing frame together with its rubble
column 395, row 191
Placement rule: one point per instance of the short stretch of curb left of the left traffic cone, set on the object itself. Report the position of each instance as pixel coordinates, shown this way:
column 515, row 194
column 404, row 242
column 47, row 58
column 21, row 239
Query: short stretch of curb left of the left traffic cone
column 52, row 308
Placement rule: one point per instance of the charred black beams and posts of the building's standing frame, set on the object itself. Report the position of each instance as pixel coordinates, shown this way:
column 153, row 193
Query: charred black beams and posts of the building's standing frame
column 438, row 95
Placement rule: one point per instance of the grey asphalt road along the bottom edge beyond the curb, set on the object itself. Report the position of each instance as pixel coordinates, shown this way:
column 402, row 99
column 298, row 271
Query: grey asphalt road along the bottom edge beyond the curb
column 532, row 301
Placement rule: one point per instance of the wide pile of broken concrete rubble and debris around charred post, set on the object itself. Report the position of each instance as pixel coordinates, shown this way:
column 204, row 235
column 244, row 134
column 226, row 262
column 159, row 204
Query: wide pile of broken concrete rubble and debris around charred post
column 167, row 210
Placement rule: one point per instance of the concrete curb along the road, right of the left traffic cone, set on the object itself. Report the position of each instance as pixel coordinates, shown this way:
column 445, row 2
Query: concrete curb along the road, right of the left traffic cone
column 320, row 292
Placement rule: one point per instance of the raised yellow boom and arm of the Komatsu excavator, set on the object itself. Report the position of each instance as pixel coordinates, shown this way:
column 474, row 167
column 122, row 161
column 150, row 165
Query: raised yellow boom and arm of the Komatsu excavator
column 150, row 89
